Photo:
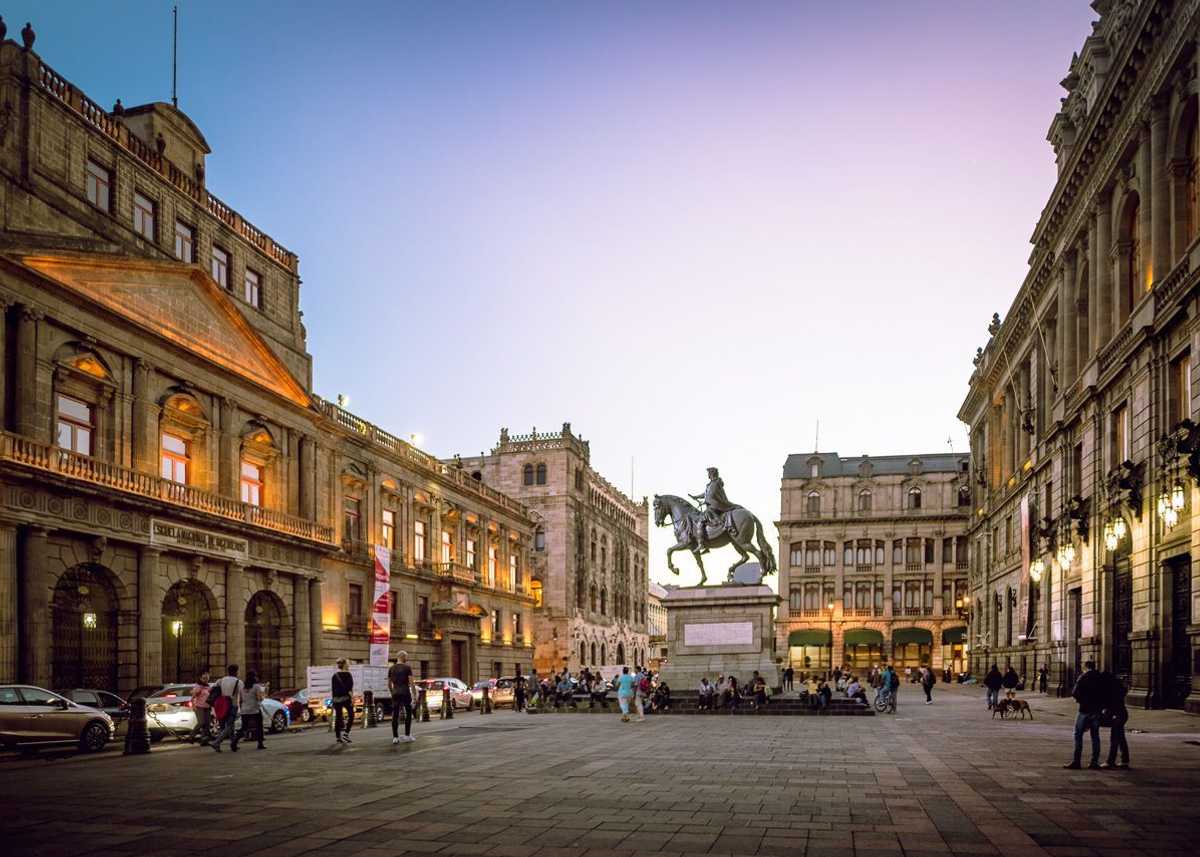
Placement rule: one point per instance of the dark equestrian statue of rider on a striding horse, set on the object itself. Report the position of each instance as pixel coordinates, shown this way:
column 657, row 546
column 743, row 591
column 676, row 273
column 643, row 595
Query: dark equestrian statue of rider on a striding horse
column 715, row 524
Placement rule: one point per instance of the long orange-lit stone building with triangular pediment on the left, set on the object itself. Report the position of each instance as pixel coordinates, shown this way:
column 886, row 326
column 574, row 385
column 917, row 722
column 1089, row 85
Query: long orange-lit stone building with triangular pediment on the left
column 172, row 495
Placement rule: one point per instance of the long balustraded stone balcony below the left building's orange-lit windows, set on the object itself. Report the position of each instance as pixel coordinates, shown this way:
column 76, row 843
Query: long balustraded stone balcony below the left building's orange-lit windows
column 49, row 459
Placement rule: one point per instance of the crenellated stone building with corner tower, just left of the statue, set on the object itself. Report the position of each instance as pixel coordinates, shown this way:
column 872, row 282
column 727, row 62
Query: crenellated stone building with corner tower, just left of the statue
column 590, row 550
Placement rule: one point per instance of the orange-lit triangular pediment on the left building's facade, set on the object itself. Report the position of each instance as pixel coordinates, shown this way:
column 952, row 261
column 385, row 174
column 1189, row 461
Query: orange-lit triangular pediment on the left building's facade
column 176, row 303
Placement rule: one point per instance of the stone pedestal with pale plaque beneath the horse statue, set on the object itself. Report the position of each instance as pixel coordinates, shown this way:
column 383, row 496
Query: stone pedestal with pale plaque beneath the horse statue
column 721, row 631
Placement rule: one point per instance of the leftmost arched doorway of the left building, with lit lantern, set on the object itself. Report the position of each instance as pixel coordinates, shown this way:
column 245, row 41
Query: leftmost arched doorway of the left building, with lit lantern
column 85, row 630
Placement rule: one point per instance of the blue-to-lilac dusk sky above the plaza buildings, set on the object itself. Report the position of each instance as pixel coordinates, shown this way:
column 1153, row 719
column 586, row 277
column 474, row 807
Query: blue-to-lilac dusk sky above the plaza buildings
column 693, row 230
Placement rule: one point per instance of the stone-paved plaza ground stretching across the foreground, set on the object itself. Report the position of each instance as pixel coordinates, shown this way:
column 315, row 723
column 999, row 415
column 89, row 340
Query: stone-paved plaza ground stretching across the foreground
column 941, row 780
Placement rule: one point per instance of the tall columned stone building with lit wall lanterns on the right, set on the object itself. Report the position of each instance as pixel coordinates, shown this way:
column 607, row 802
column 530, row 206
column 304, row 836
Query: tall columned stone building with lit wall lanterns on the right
column 1082, row 410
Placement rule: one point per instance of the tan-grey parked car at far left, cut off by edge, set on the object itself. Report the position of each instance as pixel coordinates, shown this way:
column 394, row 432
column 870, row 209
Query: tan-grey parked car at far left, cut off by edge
column 34, row 717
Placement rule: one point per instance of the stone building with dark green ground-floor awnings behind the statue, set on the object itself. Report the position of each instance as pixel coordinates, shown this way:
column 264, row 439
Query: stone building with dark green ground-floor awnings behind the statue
column 873, row 561
